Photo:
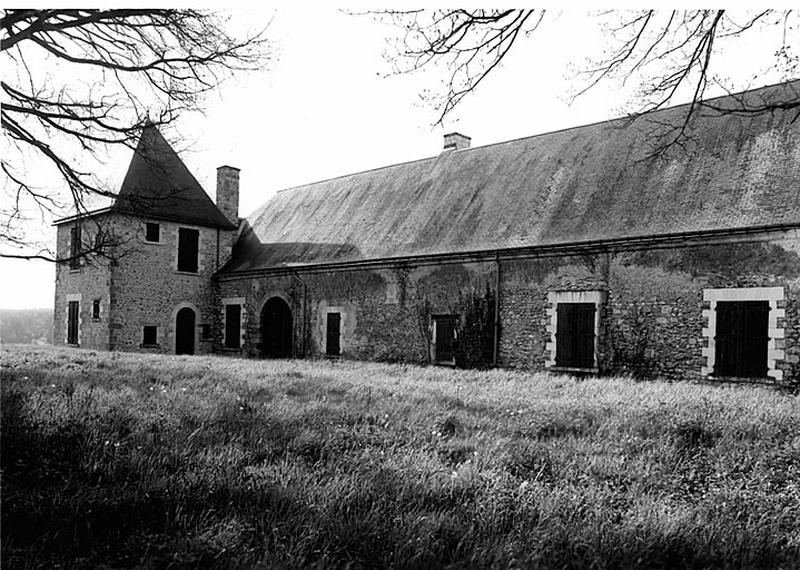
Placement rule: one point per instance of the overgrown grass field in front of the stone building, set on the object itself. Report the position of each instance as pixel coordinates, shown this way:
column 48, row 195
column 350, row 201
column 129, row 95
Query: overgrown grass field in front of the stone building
column 117, row 460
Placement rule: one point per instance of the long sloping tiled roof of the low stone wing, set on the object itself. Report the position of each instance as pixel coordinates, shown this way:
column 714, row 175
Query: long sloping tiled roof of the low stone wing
column 593, row 182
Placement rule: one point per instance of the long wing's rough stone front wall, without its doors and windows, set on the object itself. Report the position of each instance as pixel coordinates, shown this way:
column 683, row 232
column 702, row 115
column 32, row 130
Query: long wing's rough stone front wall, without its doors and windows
column 651, row 318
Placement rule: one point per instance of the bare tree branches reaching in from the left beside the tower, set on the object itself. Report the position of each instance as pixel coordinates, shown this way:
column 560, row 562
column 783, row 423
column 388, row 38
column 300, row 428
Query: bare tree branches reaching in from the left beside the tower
column 77, row 81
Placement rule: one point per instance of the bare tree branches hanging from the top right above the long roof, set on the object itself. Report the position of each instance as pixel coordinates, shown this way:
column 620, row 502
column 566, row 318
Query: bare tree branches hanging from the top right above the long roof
column 665, row 52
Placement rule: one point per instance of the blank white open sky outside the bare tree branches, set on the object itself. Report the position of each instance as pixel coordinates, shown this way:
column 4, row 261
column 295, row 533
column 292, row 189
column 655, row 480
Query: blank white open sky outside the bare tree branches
column 324, row 109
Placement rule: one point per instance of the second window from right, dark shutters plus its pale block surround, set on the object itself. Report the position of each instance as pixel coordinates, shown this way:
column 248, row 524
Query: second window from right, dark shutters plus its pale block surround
column 574, row 329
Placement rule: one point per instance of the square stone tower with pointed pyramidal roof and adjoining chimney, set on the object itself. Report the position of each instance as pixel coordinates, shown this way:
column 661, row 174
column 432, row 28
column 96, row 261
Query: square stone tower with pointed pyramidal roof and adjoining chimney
column 138, row 275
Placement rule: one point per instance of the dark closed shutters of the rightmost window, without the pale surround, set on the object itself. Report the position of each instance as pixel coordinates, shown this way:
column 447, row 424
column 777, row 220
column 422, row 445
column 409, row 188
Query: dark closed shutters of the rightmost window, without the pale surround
column 741, row 339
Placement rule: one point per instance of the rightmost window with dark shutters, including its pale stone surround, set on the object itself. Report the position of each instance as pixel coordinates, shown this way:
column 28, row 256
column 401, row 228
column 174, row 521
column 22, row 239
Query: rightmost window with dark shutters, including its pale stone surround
column 744, row 332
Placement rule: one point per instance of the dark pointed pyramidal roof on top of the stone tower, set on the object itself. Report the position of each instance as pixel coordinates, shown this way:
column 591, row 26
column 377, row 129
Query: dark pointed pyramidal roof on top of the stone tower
column 158, row 185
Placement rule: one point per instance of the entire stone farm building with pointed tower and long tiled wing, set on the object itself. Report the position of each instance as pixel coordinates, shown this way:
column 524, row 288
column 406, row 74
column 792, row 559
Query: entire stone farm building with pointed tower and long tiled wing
column 584, row 250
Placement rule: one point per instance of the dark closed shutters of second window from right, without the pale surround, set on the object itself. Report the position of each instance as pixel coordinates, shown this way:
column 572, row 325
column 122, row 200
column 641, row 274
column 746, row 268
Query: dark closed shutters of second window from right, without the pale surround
column 575, row 335
